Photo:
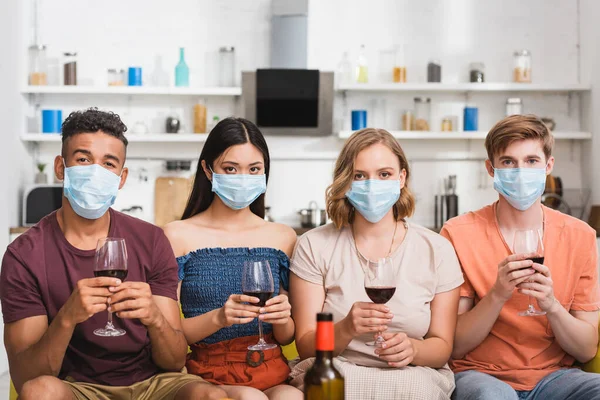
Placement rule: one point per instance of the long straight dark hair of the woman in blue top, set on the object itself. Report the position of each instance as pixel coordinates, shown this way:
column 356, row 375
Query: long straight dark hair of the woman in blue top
column 229, row 132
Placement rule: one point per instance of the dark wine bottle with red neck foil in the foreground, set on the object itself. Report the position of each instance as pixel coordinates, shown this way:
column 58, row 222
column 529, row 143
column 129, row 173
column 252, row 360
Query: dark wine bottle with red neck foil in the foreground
column 323, row 381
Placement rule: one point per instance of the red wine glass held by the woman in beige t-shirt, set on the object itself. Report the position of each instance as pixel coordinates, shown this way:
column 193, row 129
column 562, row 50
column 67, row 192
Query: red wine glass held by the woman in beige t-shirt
column 380, row 285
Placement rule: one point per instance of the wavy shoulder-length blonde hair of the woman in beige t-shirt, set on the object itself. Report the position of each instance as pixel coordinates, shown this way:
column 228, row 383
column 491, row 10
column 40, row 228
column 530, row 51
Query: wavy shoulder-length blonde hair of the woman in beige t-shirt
column 339, row 208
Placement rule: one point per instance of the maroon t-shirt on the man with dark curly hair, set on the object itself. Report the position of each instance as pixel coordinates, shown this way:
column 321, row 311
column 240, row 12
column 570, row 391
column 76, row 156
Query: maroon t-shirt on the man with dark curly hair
column 40, row 270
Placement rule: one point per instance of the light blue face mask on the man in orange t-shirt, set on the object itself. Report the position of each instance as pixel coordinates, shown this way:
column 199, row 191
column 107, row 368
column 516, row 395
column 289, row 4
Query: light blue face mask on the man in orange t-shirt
column 521, row 187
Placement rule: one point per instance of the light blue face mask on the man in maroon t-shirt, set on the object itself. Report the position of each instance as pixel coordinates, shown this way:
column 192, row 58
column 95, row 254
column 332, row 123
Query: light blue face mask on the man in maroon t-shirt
column 90, row 189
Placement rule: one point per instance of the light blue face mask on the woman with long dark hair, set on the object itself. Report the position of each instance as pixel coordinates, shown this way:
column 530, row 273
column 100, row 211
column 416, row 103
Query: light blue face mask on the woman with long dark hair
column 238, row 191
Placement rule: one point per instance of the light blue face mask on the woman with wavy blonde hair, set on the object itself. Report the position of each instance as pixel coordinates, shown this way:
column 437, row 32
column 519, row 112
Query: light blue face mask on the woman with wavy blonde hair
column 373, row 198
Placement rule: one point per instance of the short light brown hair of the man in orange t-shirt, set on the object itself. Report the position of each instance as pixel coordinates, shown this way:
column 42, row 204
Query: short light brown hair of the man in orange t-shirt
column 515, row 128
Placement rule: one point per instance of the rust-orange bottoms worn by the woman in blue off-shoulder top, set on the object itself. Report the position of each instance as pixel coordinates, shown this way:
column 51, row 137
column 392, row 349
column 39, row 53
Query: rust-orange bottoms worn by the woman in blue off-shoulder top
column 231, row 363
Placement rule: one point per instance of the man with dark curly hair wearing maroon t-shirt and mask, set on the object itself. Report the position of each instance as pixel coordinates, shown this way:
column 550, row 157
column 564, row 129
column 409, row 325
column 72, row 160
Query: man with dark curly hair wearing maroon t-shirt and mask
column 52, row 303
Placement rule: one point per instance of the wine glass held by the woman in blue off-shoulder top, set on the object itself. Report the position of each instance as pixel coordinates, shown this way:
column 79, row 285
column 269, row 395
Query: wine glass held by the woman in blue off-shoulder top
column 257, row 281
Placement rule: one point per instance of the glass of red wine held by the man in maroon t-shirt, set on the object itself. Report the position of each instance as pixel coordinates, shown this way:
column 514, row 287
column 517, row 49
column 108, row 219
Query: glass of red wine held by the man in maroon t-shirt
column 111, row 261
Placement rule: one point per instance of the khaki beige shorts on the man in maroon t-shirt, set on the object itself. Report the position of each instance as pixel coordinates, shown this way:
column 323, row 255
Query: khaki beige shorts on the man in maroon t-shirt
column 159, row 387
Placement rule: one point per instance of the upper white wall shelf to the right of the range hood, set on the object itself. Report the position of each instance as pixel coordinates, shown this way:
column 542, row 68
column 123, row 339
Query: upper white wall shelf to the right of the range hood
column 464, row 87
